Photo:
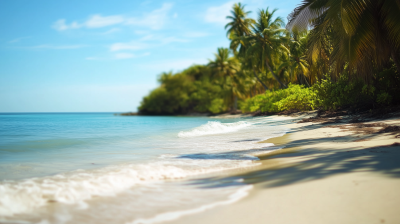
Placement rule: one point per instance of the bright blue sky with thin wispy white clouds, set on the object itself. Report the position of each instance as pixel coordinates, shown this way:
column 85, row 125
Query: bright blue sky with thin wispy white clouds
column 104, row 56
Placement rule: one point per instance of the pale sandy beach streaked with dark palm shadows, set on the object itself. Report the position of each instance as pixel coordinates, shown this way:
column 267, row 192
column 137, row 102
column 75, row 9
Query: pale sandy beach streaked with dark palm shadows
column 327, row 173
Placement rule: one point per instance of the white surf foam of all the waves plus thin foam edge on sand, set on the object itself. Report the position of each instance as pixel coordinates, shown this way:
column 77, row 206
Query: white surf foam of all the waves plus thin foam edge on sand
column 184, row 157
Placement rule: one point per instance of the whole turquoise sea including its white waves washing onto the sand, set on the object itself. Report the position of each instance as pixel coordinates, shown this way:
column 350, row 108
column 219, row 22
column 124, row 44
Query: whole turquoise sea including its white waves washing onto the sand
column 102, row 168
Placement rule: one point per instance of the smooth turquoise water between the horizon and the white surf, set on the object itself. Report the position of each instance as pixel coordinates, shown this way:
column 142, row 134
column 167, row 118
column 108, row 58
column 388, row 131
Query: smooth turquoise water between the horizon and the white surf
column 67, row 141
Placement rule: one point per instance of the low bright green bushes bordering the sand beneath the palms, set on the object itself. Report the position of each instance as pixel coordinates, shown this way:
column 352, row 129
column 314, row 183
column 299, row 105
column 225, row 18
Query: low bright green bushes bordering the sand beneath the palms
column 330, row 95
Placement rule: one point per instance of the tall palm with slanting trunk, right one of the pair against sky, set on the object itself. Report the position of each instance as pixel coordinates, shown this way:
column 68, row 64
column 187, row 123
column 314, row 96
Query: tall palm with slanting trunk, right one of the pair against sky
column 266, row 42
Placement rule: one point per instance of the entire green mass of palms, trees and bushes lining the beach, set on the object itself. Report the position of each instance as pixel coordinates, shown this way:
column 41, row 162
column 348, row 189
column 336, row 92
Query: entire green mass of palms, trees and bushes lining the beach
column 331, row 54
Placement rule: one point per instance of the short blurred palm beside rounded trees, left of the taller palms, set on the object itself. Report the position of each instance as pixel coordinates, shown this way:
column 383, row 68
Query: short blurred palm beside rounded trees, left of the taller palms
column 226, row 67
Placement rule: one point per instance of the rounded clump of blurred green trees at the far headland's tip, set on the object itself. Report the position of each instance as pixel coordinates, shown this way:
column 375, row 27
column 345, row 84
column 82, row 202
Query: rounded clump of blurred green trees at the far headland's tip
column 191, row 90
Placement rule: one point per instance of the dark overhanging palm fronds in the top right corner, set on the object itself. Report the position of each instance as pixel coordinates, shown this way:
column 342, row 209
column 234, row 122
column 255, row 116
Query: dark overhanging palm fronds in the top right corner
column 364, row 33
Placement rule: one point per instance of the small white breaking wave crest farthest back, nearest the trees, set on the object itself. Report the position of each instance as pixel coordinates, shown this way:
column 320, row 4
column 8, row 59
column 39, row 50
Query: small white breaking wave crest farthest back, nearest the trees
column 214, row 127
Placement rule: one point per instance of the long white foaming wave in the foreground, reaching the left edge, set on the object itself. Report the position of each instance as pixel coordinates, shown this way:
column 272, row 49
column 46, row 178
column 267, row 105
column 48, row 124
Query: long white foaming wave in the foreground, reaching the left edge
column 78, row 186
